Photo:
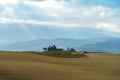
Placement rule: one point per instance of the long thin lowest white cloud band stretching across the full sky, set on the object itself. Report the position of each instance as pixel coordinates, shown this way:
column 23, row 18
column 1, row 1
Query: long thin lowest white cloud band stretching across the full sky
column 102, row 26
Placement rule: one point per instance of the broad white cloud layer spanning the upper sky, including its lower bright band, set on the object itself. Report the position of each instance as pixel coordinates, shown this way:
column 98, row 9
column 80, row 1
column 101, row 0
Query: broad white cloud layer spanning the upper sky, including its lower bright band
column 63, row 13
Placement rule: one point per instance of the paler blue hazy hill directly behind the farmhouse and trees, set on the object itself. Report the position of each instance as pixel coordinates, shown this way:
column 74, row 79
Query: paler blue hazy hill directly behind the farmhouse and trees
column 37, row 45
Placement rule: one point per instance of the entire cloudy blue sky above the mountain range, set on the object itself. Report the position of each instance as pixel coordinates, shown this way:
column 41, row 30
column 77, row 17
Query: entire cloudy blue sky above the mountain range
column 23, row 20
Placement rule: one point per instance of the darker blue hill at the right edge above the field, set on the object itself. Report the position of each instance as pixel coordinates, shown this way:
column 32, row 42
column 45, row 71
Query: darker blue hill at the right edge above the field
column 112, row 46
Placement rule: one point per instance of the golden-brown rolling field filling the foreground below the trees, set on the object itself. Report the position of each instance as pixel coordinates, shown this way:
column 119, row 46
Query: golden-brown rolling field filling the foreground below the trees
column 27, row 66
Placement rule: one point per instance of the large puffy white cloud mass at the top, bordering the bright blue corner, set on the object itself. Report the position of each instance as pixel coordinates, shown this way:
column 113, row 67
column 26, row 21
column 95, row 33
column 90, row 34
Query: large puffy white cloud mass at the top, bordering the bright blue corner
column 70, row 9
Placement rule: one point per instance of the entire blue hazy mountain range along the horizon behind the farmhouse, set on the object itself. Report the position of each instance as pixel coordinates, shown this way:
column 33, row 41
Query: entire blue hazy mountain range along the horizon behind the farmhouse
column 93, row 45
